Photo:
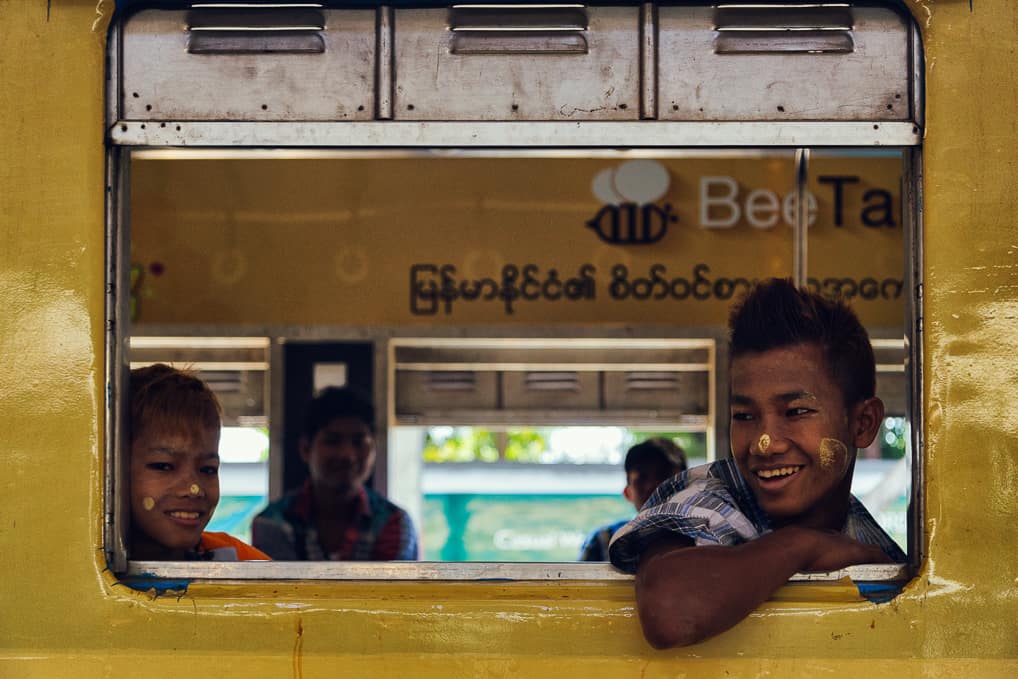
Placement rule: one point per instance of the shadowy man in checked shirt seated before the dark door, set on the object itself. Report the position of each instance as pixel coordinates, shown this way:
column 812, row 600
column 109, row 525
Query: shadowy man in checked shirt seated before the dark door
column 334, row 517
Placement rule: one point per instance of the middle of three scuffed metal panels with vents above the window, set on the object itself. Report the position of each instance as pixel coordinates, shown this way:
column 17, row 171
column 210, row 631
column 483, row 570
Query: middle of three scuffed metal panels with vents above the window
column 512, row 82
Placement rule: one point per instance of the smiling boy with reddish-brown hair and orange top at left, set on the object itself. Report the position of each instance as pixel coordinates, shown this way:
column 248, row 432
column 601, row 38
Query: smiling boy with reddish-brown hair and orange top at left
column 175, row 470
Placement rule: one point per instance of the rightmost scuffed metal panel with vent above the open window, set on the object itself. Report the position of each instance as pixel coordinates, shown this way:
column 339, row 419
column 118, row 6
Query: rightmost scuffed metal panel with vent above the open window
column 871, row 83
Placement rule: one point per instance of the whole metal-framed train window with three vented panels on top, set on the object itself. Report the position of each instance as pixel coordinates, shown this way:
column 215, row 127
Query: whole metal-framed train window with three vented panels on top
column 527, row 279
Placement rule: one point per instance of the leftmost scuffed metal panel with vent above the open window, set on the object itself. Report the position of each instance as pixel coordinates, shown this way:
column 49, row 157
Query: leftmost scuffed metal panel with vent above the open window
column 163, row 81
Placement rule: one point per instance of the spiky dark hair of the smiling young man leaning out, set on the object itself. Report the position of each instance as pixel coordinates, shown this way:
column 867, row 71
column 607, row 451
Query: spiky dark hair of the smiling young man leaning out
column 776, row 314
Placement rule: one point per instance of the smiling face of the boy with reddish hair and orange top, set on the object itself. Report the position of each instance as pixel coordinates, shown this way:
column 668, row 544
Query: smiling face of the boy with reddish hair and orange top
column 175, row 490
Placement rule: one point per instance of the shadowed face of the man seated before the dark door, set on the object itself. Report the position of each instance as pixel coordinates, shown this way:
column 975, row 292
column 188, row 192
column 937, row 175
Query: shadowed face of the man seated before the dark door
column 342, row 456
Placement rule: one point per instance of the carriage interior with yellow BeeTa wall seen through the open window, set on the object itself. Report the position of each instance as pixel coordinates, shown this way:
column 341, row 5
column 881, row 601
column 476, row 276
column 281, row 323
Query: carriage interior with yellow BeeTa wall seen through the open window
column 589, row 295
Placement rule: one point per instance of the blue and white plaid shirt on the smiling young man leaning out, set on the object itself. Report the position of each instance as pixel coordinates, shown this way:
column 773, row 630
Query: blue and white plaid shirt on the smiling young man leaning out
column 713, row 505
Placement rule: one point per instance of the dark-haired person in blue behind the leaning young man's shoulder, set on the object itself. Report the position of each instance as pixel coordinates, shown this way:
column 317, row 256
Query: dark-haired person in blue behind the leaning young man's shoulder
column 648, row 465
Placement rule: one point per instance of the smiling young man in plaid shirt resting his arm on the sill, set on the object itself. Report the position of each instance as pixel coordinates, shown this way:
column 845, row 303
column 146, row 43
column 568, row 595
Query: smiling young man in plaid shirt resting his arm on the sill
column 715, row 542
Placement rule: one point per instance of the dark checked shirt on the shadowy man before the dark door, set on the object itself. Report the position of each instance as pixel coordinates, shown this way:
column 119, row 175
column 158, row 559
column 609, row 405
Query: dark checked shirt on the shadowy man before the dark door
column 380, row 532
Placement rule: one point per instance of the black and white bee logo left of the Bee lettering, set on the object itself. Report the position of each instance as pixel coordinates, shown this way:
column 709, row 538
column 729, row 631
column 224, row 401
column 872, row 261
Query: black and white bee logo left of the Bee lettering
column 631, row 217
